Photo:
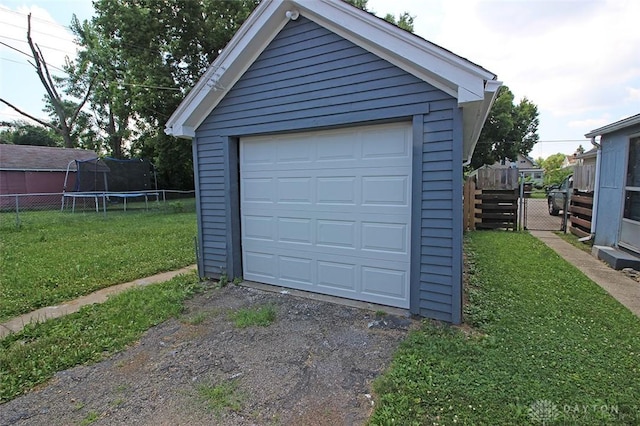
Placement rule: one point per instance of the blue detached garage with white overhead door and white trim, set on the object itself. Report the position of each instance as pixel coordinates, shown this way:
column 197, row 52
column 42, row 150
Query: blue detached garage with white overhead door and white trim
column 328, row 152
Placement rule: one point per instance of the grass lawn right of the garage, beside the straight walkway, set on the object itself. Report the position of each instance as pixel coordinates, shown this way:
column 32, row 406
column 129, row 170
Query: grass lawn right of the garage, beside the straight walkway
column 547, row 341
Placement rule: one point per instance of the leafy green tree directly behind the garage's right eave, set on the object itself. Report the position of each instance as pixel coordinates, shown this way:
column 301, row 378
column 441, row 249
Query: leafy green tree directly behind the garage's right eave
column 510, row 129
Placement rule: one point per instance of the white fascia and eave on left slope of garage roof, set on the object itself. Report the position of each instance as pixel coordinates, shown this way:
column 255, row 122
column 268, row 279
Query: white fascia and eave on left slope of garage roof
column 241, row 51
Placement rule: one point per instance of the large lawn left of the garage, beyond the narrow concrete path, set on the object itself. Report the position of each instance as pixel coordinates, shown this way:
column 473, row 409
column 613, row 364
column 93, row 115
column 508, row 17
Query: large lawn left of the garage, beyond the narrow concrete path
column 58, row 256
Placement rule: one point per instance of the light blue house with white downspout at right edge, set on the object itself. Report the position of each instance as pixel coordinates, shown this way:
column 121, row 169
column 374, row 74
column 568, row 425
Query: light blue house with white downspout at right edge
column 617, row 200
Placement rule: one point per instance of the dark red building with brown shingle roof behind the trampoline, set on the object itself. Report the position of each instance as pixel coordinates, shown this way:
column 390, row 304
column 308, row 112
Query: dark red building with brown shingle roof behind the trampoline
column 28, row 169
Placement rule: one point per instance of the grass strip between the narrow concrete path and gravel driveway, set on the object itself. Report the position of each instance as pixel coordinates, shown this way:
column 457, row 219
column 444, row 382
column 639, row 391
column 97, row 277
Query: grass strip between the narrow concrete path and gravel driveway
column 33, row 355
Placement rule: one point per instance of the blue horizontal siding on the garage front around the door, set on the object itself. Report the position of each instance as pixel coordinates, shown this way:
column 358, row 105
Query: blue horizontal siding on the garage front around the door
column 308, row 79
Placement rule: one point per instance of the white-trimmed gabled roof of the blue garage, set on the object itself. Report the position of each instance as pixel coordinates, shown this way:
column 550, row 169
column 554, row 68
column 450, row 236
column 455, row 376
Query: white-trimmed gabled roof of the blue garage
column 473, row 86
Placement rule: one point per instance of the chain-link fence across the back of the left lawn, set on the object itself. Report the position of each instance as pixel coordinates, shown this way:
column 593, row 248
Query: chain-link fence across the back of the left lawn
column 17, row 210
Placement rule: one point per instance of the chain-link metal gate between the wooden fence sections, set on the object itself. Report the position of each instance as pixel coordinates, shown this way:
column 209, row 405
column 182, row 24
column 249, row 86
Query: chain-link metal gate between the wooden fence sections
column 542, row 214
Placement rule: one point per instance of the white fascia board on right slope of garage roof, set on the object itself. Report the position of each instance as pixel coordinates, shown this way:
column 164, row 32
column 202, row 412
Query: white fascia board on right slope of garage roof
column 433, row 64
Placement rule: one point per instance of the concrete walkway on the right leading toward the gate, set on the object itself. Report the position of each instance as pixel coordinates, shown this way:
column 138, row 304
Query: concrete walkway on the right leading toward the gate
column 618, row 285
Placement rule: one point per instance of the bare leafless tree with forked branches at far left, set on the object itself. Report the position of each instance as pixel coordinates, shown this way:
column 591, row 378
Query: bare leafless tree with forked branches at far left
column 66, row 111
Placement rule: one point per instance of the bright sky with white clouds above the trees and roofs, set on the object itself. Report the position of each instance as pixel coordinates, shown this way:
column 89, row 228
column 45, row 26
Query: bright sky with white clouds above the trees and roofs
column 577, row 60
